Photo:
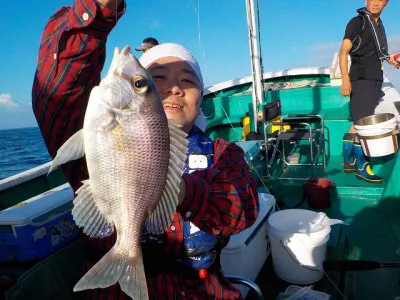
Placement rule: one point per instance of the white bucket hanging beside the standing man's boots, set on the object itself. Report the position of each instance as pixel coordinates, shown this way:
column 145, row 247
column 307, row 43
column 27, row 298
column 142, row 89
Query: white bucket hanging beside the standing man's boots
column 377, row 134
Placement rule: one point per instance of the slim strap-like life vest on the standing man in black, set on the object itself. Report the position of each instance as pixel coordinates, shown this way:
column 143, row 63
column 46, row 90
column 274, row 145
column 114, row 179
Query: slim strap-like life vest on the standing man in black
column 378, row 35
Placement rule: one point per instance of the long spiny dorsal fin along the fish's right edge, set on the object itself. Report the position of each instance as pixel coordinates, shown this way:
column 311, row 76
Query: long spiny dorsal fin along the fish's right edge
column 166, row 207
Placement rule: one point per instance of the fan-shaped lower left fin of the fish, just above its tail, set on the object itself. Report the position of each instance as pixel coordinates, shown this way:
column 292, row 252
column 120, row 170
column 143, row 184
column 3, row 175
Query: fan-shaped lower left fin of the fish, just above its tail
column 87, row 214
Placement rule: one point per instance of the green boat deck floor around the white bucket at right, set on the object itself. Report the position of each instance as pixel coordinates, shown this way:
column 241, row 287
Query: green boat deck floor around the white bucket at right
column 373, row 232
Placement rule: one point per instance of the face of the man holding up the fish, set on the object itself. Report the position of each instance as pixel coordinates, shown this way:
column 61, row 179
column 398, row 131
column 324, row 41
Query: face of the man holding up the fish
column 179, row 89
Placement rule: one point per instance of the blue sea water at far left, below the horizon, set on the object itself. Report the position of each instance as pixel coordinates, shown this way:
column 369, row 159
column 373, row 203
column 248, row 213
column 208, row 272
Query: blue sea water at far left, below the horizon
column 20, row 150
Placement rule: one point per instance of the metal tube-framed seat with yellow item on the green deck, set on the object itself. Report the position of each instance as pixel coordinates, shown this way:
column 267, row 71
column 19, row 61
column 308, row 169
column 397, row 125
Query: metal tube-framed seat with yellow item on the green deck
column 284, row 135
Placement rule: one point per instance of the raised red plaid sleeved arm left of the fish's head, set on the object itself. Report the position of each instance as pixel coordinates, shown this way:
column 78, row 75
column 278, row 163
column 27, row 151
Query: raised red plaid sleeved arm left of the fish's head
column 71, row 57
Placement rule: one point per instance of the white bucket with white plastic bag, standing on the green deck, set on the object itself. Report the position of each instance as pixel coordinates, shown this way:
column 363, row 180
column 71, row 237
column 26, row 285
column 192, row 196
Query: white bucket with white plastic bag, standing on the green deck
column 298, row 246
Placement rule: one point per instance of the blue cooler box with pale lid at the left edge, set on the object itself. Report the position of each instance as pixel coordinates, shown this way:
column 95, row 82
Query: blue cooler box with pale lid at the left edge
column 36, row 227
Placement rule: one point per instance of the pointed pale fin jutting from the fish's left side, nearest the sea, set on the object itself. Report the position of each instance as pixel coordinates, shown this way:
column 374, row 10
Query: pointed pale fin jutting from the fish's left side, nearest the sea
column 72, row 149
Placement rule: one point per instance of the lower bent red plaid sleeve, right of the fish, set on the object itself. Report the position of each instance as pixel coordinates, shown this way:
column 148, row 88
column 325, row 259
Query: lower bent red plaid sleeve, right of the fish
column 221, row 200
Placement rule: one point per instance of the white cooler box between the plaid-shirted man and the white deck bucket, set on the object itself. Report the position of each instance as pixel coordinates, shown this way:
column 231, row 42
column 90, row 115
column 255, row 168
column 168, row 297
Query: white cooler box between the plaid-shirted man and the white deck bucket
column 247, row 251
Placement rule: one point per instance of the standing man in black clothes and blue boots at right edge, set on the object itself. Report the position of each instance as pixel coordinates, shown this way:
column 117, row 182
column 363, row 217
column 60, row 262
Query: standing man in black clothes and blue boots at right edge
column 365, row 41
